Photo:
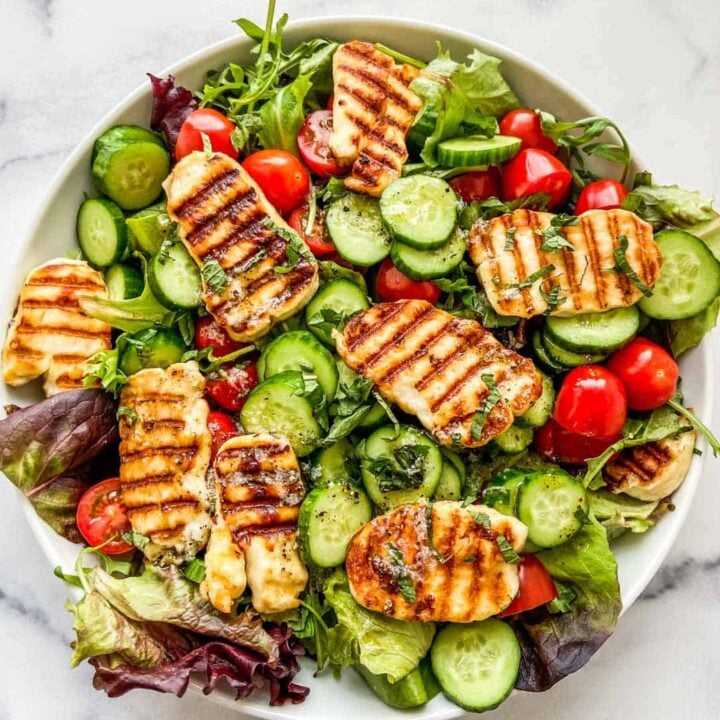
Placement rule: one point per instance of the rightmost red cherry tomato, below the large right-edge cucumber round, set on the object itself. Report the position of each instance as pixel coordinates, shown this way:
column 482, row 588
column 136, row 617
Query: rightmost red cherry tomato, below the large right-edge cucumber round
column 648, row 373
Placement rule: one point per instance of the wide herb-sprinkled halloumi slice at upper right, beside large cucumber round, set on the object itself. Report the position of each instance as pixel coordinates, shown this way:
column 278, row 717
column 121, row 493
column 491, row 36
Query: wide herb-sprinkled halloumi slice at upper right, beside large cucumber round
column 522, row 280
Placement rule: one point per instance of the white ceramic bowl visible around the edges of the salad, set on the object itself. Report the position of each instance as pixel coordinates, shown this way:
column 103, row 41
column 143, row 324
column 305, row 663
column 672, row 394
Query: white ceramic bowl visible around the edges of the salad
column 53, row 235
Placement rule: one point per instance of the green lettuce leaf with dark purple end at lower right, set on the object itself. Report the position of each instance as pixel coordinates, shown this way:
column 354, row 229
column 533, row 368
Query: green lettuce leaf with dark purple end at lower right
column 554, row 646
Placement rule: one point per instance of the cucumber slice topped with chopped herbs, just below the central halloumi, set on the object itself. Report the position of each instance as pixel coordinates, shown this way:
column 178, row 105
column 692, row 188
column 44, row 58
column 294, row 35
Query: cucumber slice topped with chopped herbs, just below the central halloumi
column 381, row 449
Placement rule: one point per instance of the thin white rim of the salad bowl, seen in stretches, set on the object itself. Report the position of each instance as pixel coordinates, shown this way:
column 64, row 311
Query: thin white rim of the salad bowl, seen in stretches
column 340, row 22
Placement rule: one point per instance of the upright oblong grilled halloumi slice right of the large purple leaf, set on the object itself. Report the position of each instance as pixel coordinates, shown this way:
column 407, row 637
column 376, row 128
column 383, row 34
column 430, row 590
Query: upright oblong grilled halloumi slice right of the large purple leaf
column 164, row 459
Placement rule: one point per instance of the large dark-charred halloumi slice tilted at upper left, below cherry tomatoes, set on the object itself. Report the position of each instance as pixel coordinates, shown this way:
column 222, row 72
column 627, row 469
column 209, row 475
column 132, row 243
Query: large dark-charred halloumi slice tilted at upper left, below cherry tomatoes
column 224, row 216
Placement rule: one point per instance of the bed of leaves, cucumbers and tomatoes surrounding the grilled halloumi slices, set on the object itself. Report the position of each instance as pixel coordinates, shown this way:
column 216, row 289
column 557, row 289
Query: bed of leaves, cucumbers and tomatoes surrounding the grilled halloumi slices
column 609, row 384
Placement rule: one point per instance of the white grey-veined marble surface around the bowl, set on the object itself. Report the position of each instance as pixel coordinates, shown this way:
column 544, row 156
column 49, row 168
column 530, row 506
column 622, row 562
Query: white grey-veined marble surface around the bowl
column 654, row 66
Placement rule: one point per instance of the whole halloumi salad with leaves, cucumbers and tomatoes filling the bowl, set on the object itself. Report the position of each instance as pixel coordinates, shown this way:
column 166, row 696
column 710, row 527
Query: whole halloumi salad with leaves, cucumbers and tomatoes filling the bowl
column 358, row 358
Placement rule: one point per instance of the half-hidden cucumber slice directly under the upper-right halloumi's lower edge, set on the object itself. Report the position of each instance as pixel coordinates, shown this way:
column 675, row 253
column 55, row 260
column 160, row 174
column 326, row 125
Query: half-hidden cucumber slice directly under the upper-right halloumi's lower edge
column 595, row 332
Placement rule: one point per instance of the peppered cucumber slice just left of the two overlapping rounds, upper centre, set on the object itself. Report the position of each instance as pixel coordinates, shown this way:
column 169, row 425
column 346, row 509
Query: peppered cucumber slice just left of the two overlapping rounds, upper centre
column 355, row 226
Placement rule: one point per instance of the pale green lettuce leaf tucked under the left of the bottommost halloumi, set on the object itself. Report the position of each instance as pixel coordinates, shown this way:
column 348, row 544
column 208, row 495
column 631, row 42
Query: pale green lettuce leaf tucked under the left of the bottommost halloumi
column 385, row 646
